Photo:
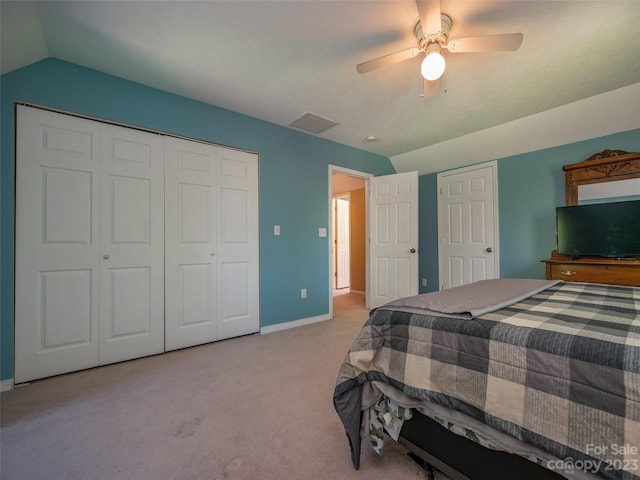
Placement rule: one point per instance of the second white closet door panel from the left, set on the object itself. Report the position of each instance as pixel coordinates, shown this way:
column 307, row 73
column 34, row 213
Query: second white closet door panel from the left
column 131, row 244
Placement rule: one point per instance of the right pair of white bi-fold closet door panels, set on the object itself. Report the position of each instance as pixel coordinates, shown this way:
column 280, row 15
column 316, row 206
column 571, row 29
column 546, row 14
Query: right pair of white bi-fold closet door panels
column 212, row 249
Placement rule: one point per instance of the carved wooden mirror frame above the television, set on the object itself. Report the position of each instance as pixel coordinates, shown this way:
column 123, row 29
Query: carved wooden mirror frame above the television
column 606, row 166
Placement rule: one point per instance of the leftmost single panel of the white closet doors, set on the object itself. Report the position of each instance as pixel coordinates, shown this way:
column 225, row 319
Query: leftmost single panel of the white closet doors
column 57, row 250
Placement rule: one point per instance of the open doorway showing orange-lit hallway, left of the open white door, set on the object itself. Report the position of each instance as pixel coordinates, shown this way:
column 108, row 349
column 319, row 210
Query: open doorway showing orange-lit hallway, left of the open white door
column 348, row 246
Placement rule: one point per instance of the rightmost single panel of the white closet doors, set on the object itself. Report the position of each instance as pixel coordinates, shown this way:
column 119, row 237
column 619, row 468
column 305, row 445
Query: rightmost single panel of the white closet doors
column 237, row 238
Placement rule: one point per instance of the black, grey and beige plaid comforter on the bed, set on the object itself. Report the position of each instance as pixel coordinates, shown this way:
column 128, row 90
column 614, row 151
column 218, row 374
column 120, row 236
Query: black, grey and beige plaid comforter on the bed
column 559, row 370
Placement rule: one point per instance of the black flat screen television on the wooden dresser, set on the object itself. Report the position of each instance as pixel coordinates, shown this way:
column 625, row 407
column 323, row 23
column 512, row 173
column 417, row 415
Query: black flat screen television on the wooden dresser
column 599, row 230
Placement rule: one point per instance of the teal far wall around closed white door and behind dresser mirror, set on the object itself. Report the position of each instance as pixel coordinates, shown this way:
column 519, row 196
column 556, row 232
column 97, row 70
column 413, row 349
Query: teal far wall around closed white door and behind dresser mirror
column 530, row 187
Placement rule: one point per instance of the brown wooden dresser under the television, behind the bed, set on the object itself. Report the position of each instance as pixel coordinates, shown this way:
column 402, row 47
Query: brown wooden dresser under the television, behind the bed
column 593, row 270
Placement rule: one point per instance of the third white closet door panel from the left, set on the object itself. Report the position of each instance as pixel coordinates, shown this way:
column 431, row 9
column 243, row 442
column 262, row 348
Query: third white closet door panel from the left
column 190, row 262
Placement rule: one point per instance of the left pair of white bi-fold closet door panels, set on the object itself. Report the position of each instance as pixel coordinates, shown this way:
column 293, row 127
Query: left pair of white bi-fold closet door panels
column 89, row 244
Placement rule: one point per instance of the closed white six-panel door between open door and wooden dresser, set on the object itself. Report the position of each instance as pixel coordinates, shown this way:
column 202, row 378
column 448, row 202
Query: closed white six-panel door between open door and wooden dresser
column 468, row 224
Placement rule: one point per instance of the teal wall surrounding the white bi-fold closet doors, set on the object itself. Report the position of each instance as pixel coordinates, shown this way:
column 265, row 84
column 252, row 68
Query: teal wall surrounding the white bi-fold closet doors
column 293, row 179
